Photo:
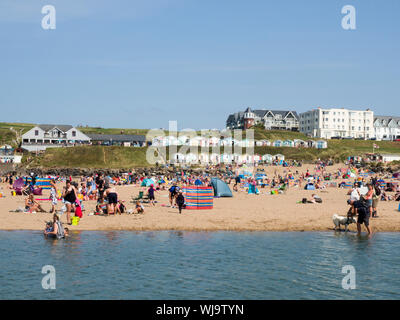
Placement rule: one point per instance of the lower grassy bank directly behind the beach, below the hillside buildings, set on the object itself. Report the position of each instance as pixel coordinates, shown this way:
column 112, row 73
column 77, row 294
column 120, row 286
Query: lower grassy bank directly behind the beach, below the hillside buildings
column 122, row 157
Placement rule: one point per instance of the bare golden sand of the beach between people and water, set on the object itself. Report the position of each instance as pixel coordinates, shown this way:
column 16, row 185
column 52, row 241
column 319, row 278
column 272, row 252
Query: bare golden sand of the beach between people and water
column 243, row 212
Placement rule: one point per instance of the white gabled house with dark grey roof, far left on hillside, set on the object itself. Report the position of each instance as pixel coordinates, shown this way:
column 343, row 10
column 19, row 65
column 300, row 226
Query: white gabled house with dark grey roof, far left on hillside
column 50, row 135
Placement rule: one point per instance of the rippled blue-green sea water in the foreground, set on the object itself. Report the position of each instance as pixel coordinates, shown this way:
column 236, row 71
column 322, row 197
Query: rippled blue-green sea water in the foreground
column 199, row 265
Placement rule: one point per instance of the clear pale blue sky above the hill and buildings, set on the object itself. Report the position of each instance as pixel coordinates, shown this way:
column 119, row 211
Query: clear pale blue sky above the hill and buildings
column 142, row 63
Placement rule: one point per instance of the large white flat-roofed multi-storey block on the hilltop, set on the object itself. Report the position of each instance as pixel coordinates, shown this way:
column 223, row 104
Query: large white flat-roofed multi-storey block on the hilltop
column 328, row 123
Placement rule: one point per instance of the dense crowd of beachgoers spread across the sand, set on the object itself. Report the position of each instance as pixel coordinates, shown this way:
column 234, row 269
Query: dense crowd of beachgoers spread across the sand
column 364, row 196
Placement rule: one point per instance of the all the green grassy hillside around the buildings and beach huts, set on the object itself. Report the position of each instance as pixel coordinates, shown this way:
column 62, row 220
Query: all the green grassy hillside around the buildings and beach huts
column 121, row 157
